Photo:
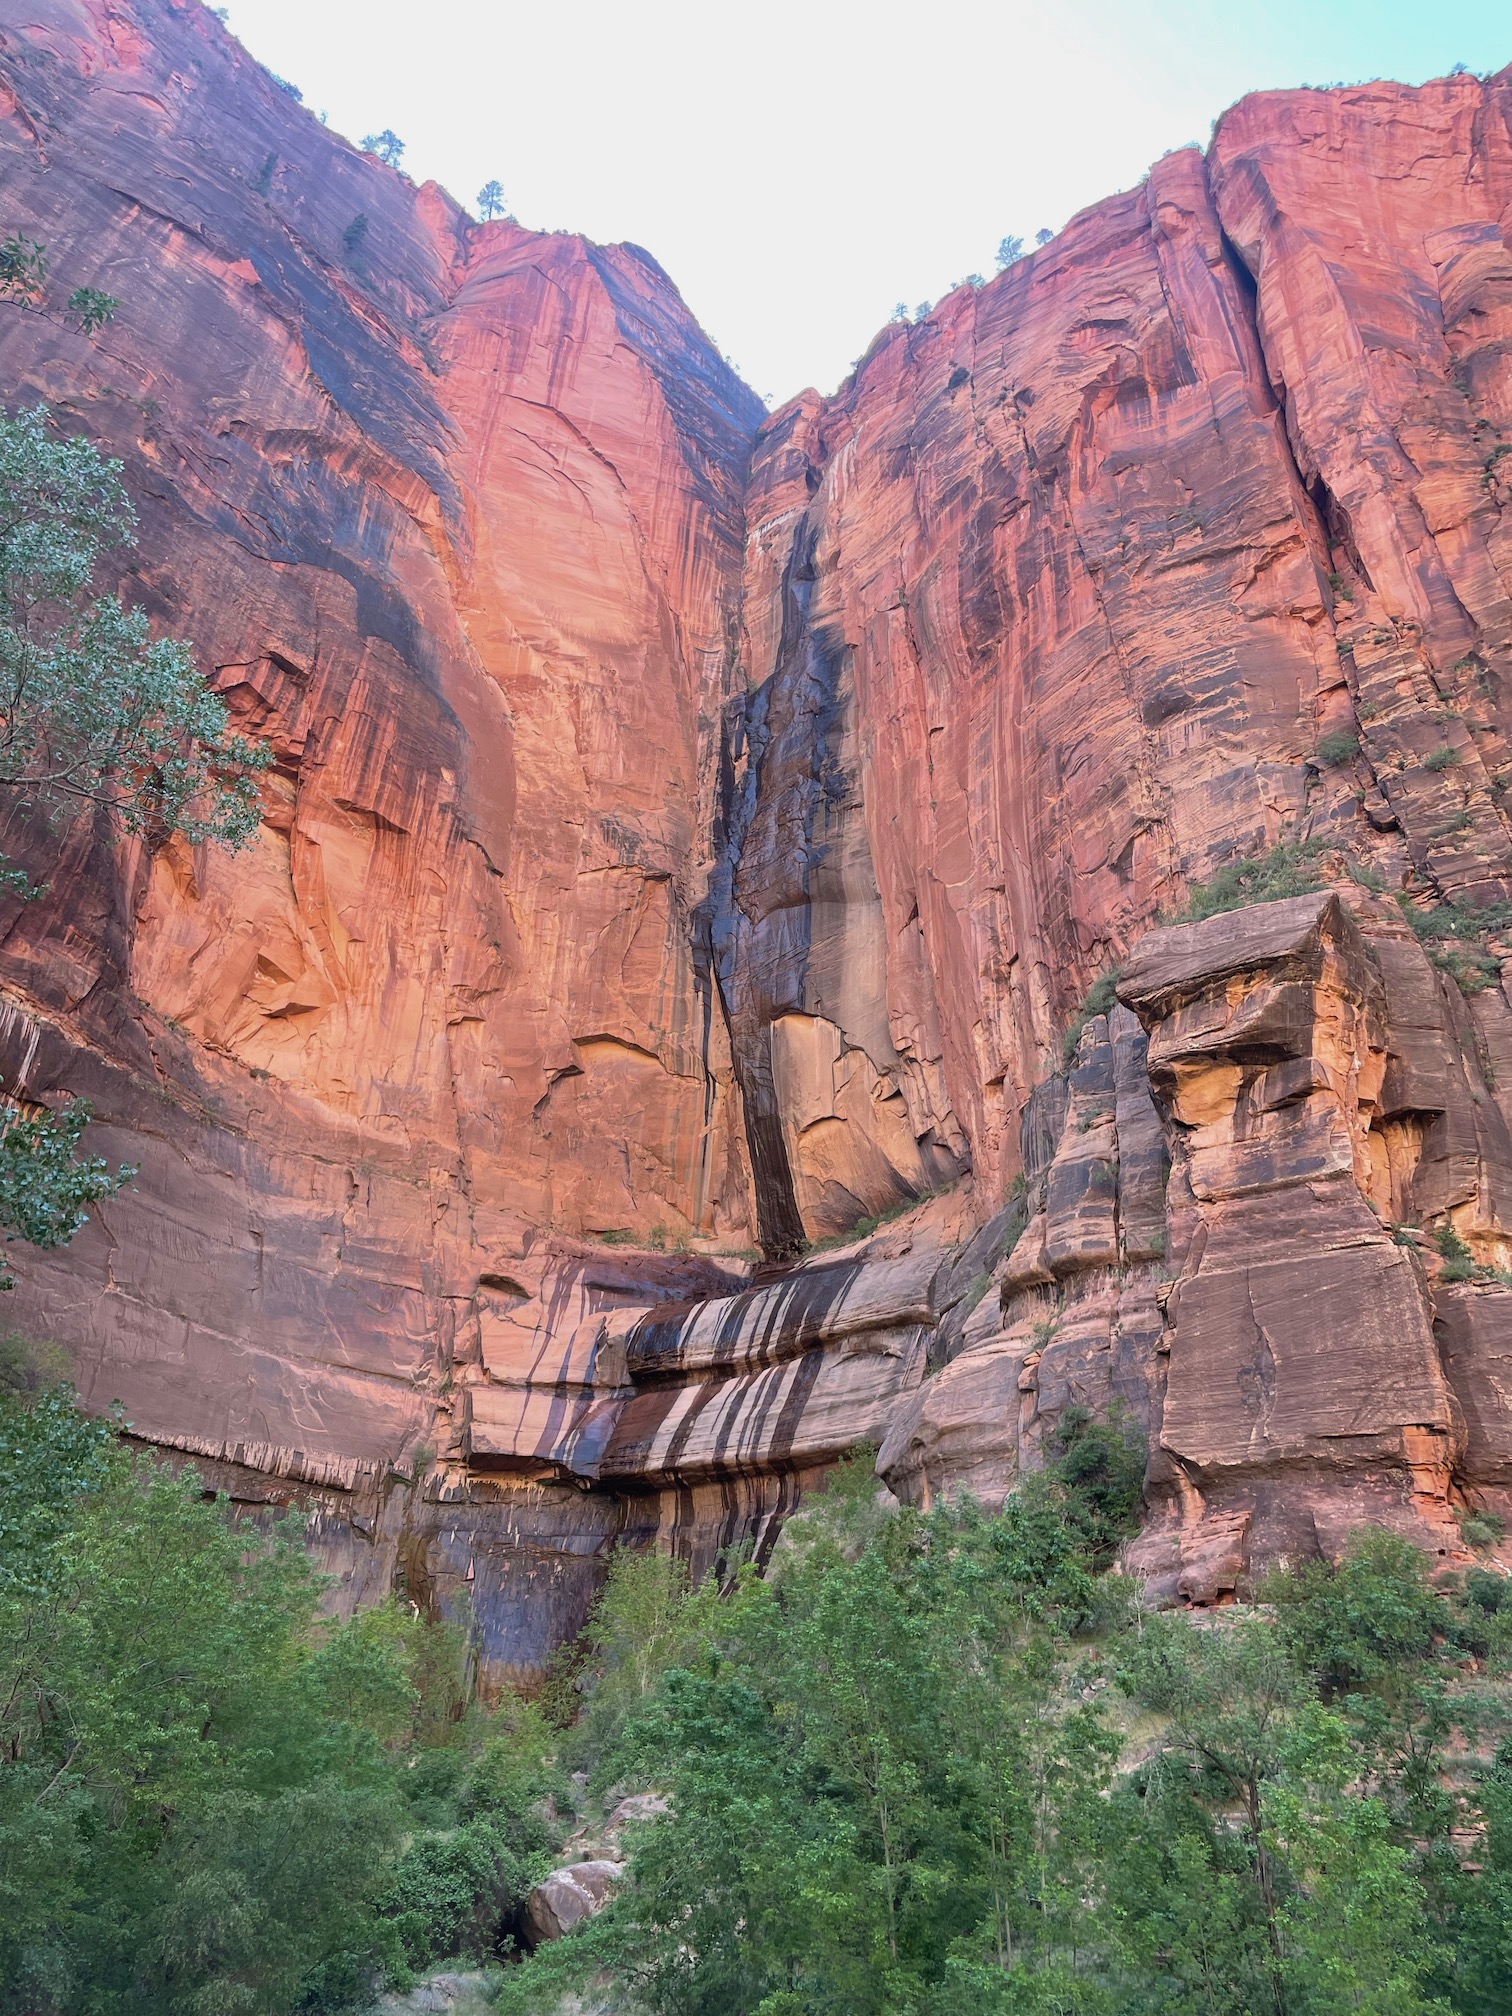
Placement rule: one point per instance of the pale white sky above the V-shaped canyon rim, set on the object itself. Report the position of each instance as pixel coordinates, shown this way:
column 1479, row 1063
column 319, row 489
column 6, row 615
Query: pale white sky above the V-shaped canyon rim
column 801, row 166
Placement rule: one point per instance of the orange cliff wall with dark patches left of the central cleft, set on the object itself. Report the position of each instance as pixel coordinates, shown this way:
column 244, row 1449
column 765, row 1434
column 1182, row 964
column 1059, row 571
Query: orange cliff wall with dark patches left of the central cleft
column 453, row 517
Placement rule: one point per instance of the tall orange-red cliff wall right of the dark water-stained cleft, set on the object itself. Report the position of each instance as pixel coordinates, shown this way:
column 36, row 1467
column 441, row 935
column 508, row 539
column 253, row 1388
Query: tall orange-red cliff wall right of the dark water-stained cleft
column 1074, row 578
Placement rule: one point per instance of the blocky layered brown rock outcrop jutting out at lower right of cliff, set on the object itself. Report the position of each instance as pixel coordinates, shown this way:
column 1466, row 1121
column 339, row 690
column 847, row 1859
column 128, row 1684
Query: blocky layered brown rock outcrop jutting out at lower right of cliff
column 1227, row 1247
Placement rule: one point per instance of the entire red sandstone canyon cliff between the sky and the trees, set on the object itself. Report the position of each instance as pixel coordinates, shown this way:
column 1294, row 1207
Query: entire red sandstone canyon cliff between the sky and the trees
column 701, row 830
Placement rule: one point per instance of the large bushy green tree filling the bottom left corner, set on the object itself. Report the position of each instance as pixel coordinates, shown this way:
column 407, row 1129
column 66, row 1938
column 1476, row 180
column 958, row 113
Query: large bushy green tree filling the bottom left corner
column 180, row 1785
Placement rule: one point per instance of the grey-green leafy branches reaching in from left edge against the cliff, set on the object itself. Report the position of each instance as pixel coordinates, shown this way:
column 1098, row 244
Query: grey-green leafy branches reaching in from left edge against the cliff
column 96, row 717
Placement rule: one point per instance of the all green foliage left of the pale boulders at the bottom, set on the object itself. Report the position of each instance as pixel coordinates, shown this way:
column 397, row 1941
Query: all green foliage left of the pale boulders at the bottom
column 213, row 1801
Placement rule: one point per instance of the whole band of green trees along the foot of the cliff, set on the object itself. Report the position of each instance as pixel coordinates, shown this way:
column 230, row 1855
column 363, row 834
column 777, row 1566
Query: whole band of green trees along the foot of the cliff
column 930, row 1763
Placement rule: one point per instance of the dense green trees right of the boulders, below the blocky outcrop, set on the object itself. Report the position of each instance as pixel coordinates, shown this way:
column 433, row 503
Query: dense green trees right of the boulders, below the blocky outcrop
column 942, row 1763
